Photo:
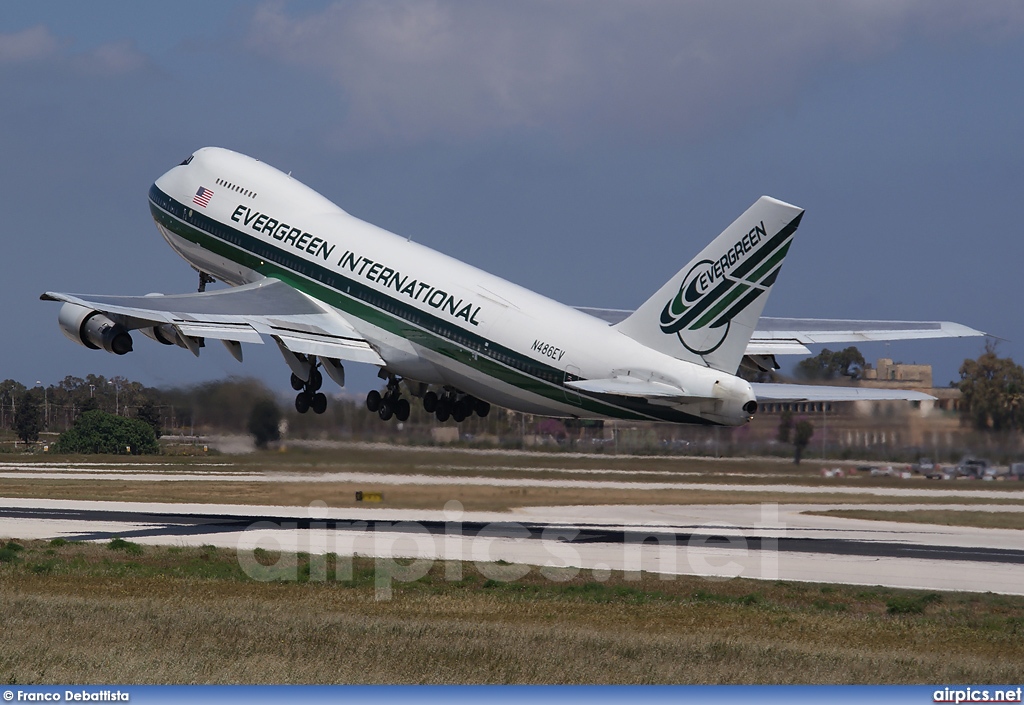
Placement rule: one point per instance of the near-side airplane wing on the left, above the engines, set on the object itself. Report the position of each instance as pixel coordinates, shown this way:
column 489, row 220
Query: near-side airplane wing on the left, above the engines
column 243, row 314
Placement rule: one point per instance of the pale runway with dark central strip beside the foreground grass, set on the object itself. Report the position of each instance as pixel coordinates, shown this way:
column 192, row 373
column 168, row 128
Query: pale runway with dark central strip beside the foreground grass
column 762, row 542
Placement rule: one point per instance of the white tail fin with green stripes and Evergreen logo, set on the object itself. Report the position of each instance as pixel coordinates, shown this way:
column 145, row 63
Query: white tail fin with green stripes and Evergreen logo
column 708, row 312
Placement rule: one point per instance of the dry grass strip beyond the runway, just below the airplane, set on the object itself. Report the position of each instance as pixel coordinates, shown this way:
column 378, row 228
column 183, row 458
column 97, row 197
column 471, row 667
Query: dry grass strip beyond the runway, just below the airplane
column 464, row 464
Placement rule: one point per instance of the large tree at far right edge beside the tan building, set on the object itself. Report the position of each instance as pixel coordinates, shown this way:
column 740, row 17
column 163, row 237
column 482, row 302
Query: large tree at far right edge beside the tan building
column 993, row 390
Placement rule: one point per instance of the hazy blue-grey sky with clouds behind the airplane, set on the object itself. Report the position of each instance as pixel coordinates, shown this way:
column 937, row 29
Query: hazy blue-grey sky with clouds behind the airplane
column 586, row 150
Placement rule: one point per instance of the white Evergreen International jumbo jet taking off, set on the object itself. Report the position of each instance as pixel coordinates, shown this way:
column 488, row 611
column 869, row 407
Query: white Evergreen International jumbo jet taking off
column 327, row 287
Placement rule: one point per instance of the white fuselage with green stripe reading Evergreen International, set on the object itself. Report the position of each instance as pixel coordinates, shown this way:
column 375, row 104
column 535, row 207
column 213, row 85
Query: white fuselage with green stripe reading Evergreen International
column 432, row 318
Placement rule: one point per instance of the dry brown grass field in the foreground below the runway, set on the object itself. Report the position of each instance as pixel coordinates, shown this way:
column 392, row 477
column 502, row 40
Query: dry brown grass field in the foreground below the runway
column 88, row 614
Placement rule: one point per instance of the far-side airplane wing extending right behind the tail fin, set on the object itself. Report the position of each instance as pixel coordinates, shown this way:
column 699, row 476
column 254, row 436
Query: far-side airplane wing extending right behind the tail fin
column 791, row 337
